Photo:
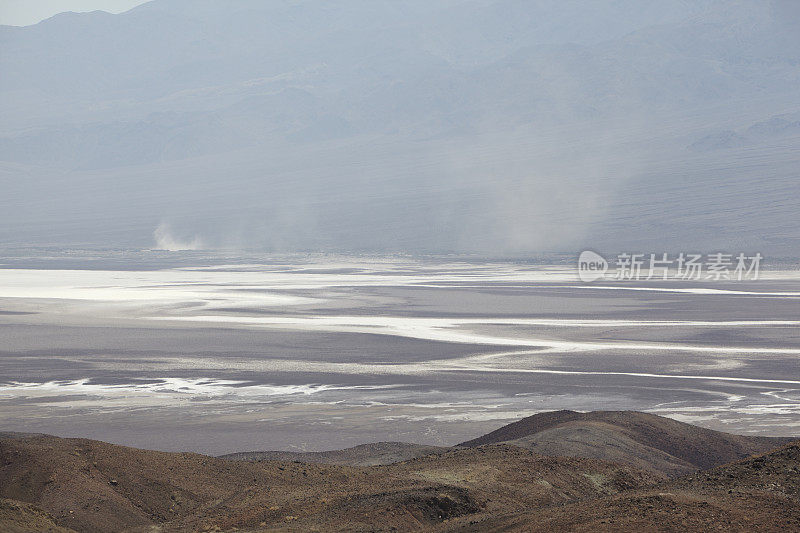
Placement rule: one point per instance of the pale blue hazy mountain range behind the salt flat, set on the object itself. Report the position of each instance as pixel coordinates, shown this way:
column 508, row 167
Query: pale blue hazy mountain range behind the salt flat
column 299, row 125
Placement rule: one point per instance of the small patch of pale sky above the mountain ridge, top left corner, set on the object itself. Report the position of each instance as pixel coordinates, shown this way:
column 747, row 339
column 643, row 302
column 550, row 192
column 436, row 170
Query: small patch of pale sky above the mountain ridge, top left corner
column 25, row 12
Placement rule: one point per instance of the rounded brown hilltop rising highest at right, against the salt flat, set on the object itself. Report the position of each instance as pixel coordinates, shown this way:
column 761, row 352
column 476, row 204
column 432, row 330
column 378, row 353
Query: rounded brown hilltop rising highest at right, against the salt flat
column 638, row 439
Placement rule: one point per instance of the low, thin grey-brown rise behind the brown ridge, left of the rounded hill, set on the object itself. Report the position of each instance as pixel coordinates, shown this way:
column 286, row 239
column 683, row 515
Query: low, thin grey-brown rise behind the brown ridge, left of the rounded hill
column 378, row 453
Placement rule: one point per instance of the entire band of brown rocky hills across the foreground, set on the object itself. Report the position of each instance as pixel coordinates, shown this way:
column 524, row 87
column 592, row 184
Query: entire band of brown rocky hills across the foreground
column 548, row 472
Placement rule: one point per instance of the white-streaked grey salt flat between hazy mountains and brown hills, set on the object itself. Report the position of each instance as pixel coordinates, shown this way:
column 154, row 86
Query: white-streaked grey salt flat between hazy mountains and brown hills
column 317, row 352
